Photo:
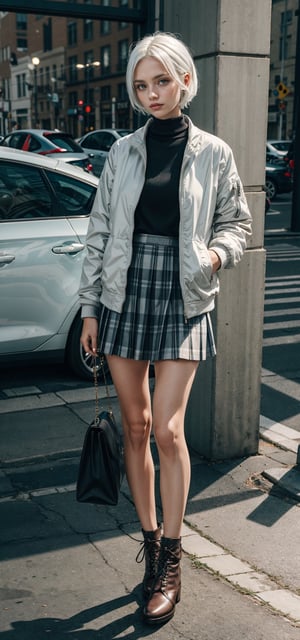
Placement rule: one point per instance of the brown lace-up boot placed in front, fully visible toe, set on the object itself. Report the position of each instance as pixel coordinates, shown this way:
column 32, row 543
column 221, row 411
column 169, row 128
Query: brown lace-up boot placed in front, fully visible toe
column 166, row 590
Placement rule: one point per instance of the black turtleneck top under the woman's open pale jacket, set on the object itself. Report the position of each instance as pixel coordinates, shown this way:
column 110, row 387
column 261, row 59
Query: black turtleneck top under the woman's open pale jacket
column 157, row 211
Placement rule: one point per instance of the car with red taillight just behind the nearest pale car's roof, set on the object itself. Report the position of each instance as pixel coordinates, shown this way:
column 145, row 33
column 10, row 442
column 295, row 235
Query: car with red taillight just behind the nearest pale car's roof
column 49, row 143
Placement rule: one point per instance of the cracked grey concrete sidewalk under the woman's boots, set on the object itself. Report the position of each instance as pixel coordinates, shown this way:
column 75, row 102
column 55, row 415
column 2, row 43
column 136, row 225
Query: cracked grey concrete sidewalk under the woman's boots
column 241, row 536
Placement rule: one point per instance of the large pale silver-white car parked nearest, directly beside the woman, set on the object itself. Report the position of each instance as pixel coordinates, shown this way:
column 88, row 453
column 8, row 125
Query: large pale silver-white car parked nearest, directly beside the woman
column 44, row 213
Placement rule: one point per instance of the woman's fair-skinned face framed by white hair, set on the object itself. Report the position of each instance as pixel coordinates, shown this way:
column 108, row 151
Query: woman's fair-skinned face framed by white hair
column 157, row 92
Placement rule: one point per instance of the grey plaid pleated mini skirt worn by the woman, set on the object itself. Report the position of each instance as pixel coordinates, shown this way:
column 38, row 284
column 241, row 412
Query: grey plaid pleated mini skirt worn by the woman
column 152, row 325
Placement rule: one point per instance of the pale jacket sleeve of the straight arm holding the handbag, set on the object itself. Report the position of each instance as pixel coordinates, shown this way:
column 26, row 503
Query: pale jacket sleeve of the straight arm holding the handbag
column 97, row 235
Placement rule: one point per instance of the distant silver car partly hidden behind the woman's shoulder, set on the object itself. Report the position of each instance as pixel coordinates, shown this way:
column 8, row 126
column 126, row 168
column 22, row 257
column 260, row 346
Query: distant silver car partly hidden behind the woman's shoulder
column 98, row 143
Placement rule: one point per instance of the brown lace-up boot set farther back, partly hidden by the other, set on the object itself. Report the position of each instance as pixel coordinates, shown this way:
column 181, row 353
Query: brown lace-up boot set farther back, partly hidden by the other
column 150, row 550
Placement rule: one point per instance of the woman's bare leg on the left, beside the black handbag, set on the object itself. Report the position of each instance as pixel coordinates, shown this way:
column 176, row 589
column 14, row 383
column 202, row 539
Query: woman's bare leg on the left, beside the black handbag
column 131, row 381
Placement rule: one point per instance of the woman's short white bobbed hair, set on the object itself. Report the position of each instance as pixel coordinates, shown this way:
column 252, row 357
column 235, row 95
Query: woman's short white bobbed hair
column 173, row 54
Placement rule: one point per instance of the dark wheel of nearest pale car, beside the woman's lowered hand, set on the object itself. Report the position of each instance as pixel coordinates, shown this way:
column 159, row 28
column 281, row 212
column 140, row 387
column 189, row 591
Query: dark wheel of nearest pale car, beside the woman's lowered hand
column 76, row 359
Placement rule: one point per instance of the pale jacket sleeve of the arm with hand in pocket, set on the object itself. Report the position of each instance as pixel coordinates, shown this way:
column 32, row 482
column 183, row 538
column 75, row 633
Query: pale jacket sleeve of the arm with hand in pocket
column 232, row 218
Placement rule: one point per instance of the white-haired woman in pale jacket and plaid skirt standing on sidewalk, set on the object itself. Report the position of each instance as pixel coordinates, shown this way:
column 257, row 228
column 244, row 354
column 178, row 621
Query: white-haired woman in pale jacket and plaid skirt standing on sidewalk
column 169, row 213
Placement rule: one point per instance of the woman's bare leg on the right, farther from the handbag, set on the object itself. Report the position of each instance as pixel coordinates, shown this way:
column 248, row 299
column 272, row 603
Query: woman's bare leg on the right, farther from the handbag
column 173, row 384
